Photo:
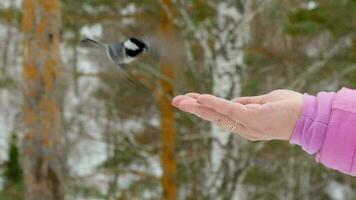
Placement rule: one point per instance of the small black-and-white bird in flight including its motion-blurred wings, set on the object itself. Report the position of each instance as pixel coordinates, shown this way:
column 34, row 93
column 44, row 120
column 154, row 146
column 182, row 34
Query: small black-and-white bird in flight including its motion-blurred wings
column 125, row 52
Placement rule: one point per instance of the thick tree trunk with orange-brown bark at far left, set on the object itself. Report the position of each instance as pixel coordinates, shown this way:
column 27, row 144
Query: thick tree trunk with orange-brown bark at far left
column 42, row 118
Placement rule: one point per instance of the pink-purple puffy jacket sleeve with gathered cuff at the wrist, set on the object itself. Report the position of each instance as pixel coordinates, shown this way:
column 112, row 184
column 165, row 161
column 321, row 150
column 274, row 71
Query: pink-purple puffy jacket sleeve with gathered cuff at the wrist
column 327, row 128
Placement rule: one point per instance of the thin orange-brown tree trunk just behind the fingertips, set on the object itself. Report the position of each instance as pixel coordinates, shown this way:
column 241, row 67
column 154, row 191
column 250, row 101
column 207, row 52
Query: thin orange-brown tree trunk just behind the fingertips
column 168, row 135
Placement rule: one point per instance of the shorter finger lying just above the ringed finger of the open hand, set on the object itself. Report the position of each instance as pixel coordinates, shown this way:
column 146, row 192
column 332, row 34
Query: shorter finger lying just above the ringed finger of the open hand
column 235, row 111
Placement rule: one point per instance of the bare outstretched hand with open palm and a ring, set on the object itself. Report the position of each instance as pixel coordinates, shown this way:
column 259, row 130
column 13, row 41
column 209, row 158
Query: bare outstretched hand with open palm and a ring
column 266, row 117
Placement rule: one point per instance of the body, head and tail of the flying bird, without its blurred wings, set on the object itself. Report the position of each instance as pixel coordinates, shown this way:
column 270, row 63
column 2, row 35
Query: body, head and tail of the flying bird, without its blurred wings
column 121, row 53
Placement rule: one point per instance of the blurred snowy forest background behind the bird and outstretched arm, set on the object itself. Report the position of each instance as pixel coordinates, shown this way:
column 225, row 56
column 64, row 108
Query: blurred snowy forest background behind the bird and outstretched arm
column 72, row 127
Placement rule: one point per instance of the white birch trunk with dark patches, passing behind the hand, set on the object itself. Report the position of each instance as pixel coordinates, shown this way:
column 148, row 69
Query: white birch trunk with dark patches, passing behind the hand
column 231, row 35
